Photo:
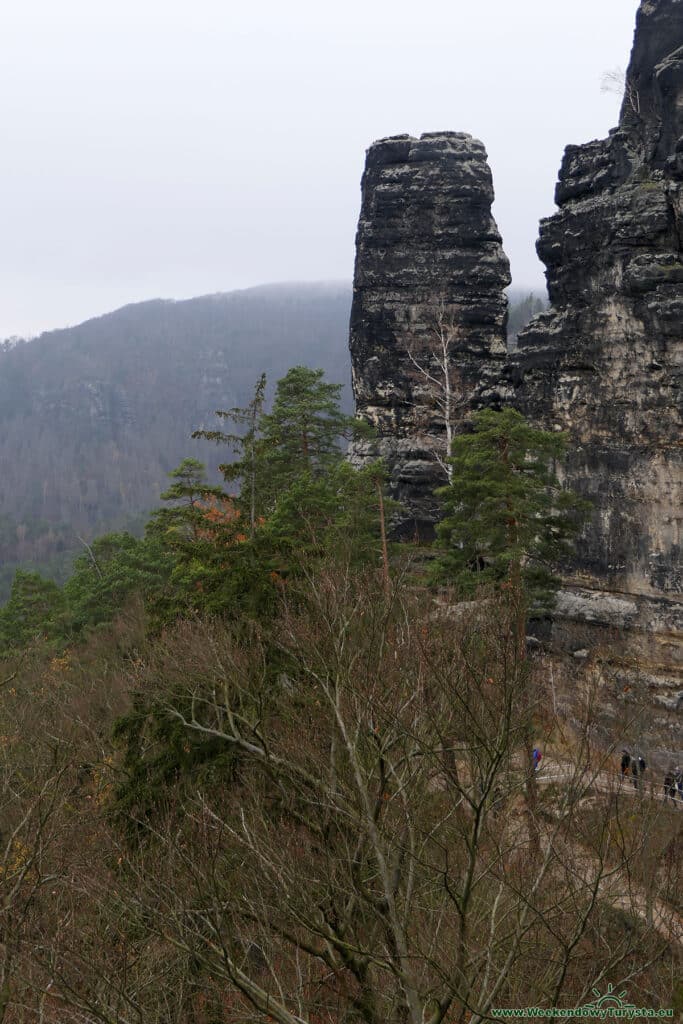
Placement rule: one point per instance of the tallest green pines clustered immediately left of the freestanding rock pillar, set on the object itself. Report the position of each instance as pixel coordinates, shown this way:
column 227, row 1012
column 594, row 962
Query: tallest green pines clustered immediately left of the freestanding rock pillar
column 301, row 499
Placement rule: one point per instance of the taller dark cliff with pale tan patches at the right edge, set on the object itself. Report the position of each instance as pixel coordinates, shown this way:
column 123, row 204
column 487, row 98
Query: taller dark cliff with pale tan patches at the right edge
column 606, row 363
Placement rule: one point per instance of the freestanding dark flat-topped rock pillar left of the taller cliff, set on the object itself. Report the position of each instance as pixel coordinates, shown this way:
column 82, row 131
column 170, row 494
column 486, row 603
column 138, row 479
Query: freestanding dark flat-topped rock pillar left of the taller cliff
column 429, row 319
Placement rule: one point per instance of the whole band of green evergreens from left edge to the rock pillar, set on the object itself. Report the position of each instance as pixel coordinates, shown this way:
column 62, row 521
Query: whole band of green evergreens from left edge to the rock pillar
column 206, row 552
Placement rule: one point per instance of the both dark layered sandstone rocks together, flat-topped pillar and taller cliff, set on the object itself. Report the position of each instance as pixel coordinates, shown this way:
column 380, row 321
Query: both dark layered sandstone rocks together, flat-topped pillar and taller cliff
column 606, row 363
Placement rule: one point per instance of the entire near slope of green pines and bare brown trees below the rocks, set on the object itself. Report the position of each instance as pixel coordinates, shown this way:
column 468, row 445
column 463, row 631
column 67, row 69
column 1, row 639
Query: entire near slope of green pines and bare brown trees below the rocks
column 266, row 765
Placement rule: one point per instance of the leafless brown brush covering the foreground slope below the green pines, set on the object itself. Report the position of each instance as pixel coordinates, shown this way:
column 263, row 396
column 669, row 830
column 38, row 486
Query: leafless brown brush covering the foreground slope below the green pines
column 370, row 860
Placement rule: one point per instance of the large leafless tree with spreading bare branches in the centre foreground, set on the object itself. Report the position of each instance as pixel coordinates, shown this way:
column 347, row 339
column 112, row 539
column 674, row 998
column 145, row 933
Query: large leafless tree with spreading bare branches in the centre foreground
column 371, row 861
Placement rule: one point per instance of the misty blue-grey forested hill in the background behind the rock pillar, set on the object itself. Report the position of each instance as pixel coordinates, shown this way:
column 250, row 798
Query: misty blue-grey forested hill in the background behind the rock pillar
column 94, row 417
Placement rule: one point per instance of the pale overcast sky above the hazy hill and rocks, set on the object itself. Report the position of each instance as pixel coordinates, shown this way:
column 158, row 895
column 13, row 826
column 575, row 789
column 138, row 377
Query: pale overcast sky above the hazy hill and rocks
column 176, row 148
